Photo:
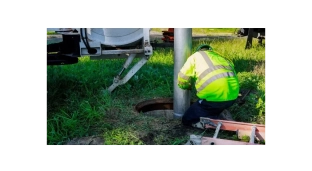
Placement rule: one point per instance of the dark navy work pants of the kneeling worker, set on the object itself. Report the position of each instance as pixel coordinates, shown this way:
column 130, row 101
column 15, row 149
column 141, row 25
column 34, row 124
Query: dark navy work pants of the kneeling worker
column 211, row 110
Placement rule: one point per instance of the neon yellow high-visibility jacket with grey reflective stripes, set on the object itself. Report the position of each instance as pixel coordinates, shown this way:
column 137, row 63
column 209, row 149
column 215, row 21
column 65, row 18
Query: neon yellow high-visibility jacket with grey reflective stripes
column 215, row 76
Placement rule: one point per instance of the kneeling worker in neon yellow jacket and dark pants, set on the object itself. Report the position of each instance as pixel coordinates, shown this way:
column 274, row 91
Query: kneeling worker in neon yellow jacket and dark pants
column 216, row 84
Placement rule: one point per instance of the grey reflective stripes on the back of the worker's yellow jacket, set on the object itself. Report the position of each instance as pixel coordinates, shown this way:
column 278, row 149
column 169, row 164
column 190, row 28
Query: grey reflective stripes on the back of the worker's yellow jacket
column 210, row 69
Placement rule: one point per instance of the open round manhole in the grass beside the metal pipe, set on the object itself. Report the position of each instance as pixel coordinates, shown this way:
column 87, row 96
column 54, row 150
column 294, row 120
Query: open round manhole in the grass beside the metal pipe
column 156, row 107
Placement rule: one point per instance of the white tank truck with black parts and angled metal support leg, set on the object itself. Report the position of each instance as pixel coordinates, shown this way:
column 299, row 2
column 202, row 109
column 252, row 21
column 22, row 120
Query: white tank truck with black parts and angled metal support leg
column 101, row 43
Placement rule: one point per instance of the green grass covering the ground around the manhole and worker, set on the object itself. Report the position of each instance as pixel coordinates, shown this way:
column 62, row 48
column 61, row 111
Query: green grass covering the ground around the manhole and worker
column 78, row 106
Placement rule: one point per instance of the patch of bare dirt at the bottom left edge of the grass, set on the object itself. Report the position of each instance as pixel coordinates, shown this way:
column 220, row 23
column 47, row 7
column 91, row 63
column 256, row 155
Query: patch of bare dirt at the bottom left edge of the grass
column 86, row 141
